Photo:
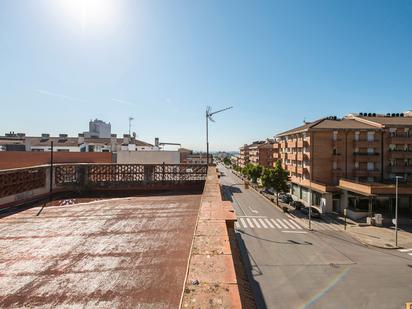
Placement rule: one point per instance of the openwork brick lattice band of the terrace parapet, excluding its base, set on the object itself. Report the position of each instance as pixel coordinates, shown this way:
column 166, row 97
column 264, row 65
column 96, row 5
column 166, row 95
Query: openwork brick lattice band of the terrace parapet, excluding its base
column 97, row 176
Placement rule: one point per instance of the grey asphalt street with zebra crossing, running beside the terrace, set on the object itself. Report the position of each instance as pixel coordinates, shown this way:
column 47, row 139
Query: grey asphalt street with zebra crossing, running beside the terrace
column 291, row 267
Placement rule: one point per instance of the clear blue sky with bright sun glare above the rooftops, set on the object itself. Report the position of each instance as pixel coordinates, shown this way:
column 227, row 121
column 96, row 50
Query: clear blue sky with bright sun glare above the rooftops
column 278, row 63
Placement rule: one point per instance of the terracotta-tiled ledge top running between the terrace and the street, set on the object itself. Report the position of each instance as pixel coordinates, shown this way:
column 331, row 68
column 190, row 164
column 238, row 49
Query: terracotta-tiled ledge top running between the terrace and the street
column 211, row 280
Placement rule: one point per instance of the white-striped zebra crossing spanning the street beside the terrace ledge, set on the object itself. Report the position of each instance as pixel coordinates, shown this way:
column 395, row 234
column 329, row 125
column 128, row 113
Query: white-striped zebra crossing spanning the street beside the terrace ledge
column 267, row 223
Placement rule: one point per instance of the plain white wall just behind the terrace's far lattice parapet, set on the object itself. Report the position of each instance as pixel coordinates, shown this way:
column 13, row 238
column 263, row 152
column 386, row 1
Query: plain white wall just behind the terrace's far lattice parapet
column 148, row 157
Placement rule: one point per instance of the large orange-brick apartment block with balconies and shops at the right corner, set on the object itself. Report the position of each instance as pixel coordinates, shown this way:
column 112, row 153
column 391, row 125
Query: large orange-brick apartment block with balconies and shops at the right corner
column 350, row 163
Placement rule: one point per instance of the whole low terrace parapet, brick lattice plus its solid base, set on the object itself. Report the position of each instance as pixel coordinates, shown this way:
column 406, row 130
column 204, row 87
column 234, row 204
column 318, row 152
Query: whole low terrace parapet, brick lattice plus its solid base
column 18, row 186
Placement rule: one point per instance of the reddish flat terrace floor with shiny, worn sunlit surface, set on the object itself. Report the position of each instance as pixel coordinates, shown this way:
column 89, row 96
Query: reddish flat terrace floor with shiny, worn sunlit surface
column 126, row 252
